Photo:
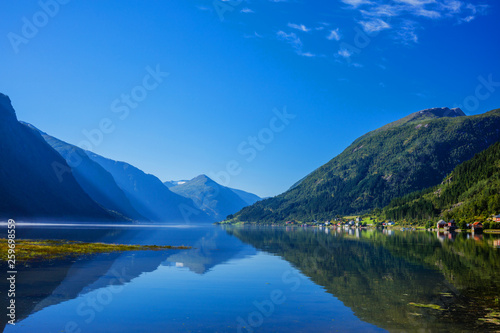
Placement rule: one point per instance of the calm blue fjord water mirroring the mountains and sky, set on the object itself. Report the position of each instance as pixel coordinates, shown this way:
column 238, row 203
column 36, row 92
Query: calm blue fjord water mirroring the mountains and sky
column 261, row 279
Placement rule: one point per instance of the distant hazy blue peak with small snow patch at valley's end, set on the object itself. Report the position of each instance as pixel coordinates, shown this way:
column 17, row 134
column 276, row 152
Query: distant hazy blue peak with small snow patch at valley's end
column 216, row 200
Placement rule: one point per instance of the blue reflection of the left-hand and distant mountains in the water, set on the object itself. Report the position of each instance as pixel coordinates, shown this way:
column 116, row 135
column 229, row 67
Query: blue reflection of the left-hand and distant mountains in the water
column 46, row 283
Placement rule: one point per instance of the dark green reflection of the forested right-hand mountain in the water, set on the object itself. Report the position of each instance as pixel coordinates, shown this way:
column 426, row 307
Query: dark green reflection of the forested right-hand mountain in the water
column 378, row 275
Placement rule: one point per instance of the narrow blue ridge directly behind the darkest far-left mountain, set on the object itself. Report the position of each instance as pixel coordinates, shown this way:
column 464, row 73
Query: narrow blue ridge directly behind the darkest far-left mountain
column 94, row 179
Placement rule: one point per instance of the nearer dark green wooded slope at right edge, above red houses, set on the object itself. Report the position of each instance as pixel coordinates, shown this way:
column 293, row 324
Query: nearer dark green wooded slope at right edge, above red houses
column 470, row 192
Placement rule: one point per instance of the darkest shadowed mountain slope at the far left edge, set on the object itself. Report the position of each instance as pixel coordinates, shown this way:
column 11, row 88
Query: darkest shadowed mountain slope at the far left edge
column 31, row 184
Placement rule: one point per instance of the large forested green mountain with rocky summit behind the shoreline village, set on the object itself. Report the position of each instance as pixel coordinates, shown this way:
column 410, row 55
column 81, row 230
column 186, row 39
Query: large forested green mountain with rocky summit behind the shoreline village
column 409, row 155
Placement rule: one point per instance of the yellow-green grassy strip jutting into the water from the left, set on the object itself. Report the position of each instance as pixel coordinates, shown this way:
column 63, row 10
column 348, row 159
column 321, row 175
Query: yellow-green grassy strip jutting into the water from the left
column 30, row 250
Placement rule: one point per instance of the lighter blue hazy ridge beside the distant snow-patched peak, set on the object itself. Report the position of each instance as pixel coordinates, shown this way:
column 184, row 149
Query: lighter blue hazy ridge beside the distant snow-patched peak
column 149, row 196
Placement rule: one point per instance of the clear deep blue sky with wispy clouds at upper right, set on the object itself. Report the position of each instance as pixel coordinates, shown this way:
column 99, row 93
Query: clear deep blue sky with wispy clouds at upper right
column 339, row 68
